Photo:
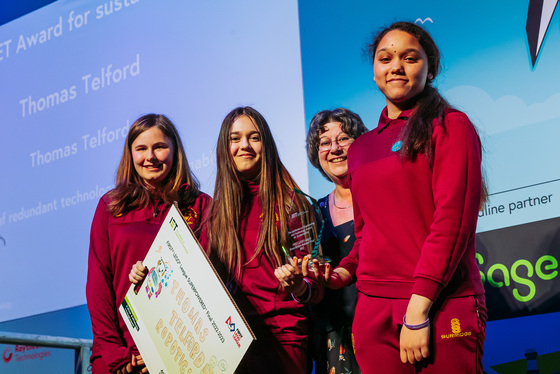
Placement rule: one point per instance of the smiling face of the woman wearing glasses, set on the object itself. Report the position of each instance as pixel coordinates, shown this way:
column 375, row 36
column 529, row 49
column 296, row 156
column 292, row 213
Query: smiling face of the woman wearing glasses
column 333, row 159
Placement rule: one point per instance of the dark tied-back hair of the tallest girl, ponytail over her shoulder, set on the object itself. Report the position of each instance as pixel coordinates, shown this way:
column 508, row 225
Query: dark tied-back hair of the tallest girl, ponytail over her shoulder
column 429, row 105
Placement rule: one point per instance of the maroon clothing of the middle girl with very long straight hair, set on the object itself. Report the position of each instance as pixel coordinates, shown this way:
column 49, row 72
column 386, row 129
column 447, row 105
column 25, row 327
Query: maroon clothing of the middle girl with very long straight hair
column 278, row 321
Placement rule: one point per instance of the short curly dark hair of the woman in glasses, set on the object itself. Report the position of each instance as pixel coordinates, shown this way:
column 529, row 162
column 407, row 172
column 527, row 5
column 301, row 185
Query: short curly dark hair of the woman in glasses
column 351, row 124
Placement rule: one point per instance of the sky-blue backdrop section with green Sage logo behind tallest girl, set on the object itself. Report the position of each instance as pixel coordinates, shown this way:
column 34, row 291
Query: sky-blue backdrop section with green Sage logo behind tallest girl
column 500, row 66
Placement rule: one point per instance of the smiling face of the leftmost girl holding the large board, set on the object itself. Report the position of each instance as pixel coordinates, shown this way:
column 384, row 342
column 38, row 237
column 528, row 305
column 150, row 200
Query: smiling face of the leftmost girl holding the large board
column 152, row 153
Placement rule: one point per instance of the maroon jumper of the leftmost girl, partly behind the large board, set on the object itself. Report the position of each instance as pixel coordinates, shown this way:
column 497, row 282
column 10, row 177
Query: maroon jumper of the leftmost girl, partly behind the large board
column 116, row 243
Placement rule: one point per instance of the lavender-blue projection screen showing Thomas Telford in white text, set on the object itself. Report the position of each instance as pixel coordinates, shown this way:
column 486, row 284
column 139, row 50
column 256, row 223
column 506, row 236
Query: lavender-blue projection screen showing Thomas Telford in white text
column 74, row 76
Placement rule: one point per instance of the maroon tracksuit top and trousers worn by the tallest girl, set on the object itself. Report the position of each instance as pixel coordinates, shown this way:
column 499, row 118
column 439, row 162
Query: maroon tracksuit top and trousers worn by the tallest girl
column 415, row 226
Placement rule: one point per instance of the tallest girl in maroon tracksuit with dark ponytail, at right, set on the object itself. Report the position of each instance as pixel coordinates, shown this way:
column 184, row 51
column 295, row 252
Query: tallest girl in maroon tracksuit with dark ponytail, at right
column 417, row 187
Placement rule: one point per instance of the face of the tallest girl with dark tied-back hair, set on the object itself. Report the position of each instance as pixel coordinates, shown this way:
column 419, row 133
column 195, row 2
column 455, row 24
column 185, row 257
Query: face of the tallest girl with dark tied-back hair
column 400, row 70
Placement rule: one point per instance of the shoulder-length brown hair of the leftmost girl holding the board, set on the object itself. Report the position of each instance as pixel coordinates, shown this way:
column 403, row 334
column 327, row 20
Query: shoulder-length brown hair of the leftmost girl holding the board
column 131, row 191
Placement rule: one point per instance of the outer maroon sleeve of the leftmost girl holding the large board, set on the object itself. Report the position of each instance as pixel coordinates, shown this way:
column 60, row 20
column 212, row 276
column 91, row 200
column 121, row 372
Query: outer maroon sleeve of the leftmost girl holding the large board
column 101, row 295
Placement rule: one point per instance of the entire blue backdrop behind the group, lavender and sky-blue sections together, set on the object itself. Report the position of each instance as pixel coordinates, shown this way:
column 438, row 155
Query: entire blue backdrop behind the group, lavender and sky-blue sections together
column 75, row 74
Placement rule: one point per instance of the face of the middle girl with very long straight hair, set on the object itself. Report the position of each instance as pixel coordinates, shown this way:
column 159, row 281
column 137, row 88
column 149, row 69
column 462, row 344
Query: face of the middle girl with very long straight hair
column 245, row 147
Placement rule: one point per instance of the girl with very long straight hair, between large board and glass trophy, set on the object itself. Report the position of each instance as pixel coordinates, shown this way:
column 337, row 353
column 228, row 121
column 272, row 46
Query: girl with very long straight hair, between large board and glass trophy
column 254, row 210
